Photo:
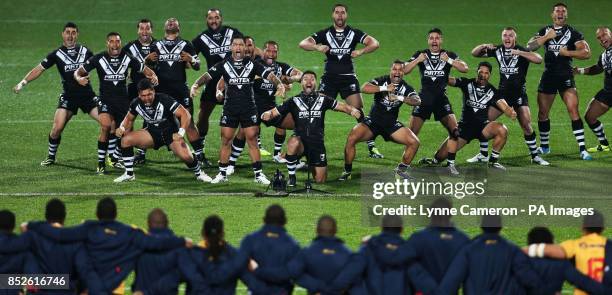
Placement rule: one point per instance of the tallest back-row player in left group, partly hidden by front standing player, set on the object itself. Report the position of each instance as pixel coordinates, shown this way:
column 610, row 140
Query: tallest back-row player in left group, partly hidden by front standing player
column 214, row 43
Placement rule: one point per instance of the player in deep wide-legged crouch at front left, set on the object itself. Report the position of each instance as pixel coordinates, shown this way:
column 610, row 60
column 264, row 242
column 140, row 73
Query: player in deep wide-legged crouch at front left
column 160, row 113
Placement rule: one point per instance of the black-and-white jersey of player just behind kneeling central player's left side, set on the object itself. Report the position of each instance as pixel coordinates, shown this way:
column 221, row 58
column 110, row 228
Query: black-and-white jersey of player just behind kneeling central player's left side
column 264, row 89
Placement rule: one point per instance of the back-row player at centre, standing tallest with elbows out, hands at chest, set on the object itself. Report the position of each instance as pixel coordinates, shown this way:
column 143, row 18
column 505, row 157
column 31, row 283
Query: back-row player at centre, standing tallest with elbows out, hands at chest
column 339, row 43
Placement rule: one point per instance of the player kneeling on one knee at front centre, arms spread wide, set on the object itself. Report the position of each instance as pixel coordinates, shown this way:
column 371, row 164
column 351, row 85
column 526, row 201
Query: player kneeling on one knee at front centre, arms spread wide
column 308, row 111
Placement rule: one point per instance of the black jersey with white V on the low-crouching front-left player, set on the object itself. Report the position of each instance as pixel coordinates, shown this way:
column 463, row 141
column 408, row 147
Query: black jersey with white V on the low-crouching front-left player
column 159, row 114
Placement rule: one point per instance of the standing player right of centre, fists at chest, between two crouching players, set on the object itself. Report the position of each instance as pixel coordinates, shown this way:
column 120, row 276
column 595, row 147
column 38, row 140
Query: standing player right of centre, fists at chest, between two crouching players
column 434, row 65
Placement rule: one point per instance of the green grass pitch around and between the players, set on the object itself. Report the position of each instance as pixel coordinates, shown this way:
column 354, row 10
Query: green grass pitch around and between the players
column 32, row 30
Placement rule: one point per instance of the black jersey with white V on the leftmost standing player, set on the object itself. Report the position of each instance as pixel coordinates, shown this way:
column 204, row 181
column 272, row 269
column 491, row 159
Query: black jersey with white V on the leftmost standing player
column 68, row 60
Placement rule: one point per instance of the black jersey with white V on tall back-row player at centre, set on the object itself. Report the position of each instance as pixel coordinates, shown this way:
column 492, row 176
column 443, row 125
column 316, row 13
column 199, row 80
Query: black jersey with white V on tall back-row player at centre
column 341, row 44
